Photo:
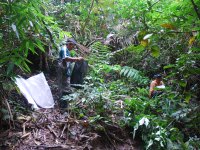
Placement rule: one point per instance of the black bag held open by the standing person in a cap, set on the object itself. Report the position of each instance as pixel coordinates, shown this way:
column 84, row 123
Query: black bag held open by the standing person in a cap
column 79, row 72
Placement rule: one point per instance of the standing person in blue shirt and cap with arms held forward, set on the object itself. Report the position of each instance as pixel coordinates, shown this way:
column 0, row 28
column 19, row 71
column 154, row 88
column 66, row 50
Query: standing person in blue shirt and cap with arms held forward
column 66, row 58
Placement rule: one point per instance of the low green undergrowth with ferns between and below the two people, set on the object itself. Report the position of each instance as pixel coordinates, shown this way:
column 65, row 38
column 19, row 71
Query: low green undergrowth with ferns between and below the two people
column 119, row 95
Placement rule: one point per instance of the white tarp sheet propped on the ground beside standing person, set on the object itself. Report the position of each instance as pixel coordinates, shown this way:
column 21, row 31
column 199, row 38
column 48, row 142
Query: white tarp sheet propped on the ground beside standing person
column 36, row 90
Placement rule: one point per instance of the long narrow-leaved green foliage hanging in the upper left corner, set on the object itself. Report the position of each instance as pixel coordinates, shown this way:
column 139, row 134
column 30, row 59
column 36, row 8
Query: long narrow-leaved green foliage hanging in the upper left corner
column 25, row 28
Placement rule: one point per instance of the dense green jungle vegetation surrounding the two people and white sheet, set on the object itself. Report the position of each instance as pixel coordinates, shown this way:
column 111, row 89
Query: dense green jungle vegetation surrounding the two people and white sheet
column 150, row 36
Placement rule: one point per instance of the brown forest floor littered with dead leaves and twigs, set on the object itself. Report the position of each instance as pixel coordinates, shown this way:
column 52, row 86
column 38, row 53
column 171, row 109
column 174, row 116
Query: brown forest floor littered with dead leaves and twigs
column 59, row 129
